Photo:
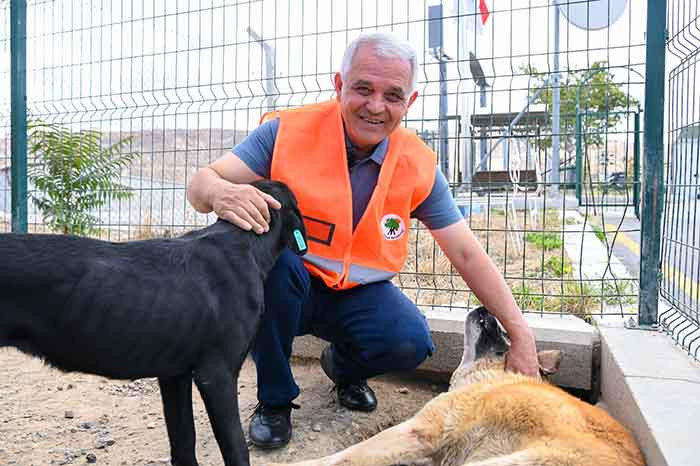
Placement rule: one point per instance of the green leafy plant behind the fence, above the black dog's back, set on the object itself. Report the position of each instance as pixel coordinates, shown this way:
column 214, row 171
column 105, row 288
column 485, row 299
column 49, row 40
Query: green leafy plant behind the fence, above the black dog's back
column 74, row 175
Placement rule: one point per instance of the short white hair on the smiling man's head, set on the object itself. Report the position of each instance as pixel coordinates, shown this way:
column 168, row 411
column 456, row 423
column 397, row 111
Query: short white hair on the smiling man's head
column 385, row 45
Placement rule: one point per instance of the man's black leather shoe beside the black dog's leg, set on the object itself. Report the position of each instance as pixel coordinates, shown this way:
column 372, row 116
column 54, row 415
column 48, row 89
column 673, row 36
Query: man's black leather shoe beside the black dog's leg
column 271, row 427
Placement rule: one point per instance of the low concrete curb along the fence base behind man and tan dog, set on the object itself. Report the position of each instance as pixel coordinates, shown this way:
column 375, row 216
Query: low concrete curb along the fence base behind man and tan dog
column 569, row 334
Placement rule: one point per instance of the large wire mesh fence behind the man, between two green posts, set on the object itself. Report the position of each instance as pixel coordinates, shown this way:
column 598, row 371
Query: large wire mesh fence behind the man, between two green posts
column 552, row 199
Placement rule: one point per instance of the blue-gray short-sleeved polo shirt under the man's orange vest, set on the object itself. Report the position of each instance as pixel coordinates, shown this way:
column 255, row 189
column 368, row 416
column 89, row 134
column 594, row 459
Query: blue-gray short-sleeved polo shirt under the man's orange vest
column 438, row 210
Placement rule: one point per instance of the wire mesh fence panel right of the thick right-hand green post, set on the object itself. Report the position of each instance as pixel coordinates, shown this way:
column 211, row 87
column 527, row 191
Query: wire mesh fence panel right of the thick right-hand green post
column 681, row 229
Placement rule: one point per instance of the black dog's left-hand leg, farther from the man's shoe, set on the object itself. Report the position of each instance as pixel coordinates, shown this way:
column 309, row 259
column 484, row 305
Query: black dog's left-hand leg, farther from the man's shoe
column 176, row 393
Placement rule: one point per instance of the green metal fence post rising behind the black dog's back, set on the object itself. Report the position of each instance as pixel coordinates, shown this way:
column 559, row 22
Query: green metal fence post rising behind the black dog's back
column 18, row 113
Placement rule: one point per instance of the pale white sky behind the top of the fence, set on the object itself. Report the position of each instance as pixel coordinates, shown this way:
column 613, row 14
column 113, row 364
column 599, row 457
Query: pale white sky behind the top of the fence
column 176, row 62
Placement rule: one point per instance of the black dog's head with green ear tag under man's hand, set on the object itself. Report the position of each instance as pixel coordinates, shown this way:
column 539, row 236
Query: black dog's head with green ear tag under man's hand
column 293, row 230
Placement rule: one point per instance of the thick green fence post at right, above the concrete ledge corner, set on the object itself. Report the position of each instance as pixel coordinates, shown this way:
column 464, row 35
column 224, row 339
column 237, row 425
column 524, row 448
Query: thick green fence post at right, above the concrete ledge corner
column 649, row 264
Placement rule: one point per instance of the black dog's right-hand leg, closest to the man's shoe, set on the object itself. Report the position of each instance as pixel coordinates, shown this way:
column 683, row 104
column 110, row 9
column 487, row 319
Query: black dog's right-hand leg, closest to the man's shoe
column 217, row 383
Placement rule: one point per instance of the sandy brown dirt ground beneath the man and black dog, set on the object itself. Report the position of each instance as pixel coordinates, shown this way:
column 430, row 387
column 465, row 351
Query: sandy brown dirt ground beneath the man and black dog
column 51, row 418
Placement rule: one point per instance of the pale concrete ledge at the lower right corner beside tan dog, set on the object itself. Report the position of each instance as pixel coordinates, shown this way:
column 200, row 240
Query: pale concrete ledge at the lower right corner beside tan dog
column 651, row 386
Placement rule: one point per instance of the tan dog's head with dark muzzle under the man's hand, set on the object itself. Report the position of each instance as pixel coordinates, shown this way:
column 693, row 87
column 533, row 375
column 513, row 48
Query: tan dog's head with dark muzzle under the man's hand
column 486, row 347
